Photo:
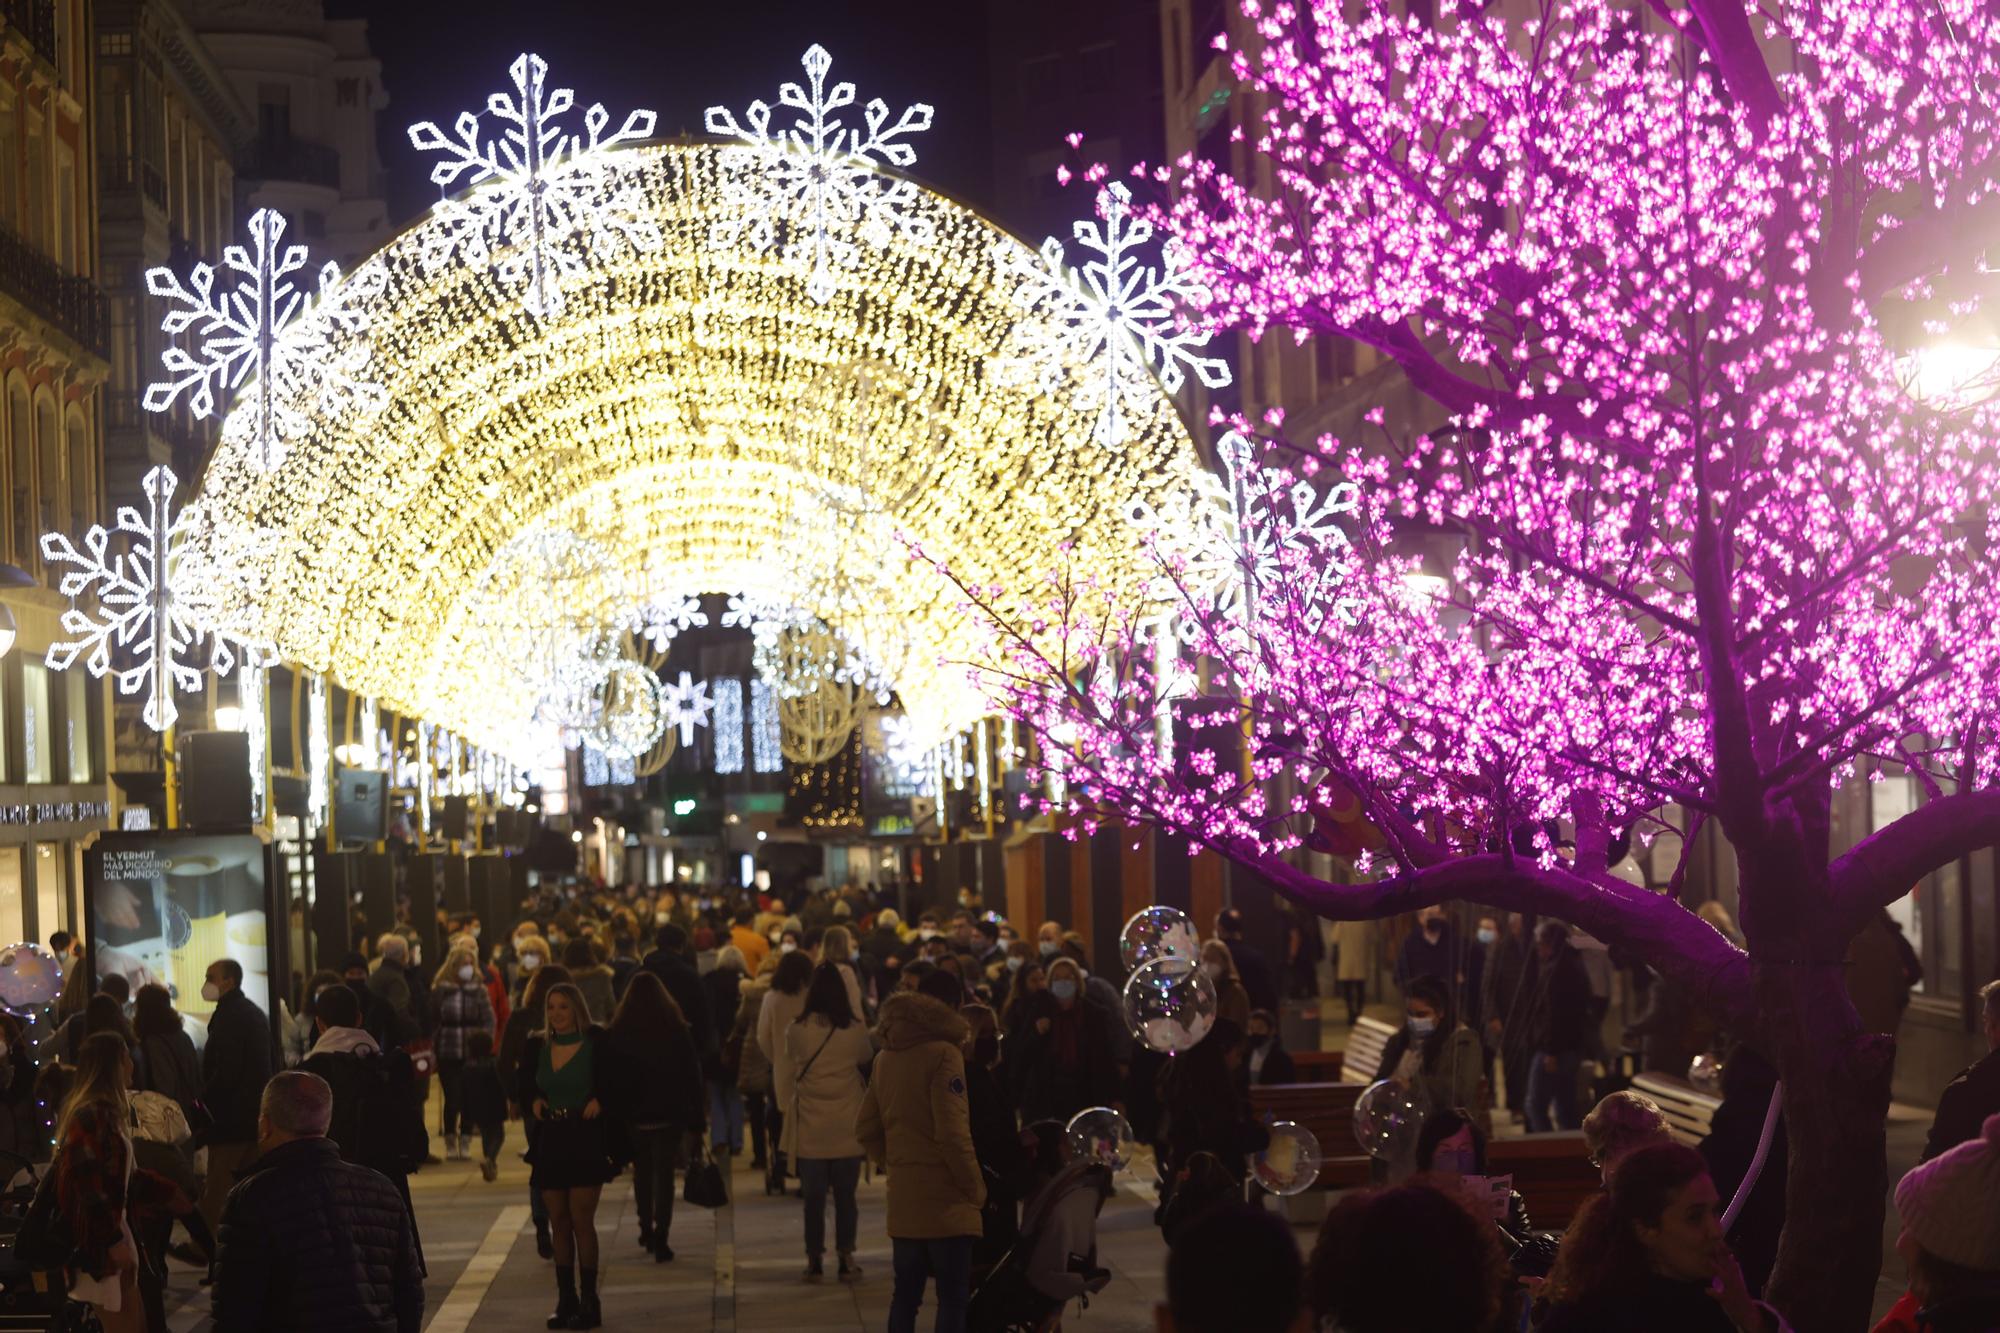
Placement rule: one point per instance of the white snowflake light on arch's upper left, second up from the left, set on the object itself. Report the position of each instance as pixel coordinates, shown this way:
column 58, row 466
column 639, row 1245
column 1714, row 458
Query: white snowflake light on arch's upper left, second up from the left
column 271, row 327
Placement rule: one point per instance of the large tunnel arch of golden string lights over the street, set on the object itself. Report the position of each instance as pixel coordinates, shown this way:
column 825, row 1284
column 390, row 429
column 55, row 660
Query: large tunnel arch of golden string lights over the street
column 659, row 411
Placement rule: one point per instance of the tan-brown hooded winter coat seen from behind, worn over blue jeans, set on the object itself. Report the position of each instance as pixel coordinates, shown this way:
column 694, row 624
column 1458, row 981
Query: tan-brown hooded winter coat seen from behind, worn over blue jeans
column 917, row 1122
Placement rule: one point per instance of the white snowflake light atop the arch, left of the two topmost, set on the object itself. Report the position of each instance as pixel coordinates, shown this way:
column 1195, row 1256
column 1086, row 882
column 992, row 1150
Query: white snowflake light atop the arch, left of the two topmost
column 541, row 201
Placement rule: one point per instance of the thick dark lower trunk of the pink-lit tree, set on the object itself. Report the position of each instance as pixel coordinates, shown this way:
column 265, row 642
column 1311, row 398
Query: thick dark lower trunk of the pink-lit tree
column 1837, row 1084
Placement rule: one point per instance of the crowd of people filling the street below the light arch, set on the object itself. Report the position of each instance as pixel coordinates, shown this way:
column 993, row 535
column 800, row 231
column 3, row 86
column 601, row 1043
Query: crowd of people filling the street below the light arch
column 623, row 1032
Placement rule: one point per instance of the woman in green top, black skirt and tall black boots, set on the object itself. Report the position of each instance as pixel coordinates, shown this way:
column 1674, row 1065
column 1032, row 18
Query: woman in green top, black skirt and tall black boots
column 561, row 1084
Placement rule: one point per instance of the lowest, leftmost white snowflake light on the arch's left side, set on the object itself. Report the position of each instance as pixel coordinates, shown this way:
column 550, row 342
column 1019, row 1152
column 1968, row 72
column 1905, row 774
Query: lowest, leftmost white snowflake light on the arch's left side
column 157, row 603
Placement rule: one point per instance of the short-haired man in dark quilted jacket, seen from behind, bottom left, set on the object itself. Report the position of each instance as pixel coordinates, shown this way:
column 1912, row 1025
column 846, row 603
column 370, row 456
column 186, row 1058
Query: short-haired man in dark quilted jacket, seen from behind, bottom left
column 309, row 1242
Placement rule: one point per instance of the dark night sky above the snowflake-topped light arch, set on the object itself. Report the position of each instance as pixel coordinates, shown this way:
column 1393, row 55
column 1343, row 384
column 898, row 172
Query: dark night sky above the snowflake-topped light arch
column 679, row 57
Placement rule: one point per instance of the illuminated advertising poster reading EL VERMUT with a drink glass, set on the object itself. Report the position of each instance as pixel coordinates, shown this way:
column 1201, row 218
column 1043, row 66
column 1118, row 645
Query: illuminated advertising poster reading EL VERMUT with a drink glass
column 165, row 906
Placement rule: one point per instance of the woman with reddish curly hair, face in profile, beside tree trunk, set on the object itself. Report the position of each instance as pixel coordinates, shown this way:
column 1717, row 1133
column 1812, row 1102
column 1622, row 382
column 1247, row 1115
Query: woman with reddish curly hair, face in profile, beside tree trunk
column 1649, row 1256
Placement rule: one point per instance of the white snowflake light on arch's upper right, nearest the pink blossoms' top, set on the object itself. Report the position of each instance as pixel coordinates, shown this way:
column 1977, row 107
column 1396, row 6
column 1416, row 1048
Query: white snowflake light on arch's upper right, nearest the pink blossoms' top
column 1115, row 315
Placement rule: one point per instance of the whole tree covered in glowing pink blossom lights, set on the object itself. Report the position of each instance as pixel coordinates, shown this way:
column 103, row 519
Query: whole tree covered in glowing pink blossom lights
column 1713, row 551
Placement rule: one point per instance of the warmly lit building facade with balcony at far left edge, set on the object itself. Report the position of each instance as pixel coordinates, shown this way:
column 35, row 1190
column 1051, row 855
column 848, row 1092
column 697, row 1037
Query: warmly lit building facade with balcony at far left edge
column 53, row 373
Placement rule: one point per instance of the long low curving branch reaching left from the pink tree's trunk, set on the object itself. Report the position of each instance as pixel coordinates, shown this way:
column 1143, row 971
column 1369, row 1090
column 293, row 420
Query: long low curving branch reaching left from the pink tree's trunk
column 1653, row 926
